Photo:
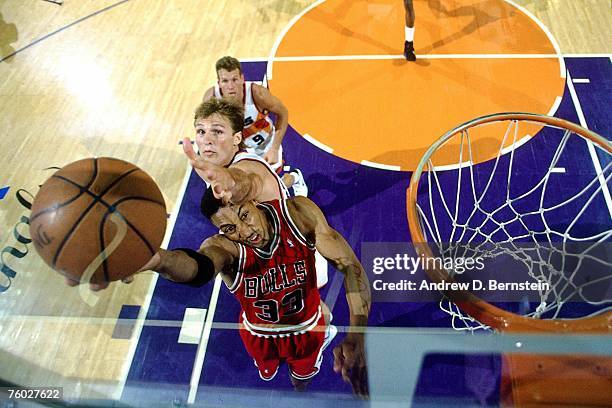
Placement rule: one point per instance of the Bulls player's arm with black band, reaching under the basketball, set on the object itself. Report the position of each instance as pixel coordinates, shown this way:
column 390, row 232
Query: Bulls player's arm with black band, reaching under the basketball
column 182, row 265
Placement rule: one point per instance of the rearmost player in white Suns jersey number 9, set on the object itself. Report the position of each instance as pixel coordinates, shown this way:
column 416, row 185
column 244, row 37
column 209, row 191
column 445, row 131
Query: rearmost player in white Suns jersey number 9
column 260, row 135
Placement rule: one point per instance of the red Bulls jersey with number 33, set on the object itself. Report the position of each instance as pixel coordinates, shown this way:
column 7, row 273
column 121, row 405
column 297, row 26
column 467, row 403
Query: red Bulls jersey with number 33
column 277, row 286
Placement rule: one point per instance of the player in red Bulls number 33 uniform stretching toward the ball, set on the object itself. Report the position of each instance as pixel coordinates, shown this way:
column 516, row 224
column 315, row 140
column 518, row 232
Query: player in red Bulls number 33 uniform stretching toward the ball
column 265, row 255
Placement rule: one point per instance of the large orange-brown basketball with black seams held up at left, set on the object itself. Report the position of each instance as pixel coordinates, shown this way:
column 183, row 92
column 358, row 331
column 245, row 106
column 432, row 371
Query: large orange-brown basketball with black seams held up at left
column 98, row 220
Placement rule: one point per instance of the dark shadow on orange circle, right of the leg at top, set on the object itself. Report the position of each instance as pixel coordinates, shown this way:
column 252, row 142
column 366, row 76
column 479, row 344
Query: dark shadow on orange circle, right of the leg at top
column 480, row 18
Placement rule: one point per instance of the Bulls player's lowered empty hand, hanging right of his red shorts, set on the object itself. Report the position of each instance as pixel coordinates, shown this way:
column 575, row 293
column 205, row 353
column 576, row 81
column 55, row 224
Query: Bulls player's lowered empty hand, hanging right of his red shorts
column 349, row 360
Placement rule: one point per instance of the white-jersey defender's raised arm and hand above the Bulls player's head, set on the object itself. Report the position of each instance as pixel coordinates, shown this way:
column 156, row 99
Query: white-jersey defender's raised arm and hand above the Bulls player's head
column 236, row 184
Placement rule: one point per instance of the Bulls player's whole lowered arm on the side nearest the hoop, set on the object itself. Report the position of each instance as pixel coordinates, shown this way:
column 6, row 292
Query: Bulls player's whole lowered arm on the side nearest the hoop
column 349, row 356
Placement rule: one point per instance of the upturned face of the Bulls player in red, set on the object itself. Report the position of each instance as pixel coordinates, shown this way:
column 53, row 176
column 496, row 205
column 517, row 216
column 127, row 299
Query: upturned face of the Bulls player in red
column 243, row 223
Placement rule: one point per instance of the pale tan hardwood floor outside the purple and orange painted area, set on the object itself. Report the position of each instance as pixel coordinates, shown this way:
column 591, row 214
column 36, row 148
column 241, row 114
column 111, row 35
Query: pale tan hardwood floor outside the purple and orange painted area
column 121, row 79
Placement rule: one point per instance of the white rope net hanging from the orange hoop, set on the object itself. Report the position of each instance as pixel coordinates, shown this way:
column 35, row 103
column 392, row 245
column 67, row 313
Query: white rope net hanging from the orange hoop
column 539, row 210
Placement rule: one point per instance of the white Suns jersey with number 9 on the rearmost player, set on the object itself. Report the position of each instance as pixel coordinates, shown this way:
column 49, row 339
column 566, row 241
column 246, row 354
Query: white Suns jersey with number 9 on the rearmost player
column 258, row 129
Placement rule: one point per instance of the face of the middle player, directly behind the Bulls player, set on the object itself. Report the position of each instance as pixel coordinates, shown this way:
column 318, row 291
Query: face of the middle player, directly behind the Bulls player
column 216, row 140
